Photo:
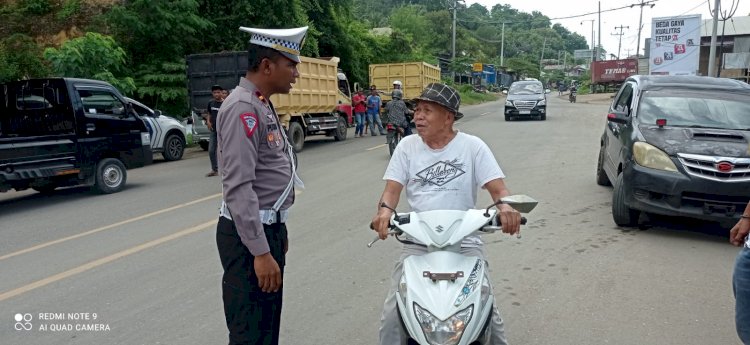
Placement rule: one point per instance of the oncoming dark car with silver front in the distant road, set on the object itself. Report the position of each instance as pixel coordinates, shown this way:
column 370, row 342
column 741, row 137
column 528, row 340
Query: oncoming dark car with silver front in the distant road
column 526, row 98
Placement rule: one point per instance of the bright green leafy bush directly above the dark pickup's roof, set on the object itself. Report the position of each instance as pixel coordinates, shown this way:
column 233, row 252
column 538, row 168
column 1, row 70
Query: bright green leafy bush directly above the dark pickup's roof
column 93, row 56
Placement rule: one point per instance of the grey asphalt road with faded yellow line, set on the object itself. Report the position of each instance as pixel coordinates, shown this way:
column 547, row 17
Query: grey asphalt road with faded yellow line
column 145, row 261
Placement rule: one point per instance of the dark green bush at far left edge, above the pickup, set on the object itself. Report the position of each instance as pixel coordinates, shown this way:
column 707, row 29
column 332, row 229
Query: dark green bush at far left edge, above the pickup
column 21, row 57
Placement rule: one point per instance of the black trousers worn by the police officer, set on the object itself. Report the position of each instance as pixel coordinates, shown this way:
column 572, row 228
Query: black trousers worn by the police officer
column 253, row 317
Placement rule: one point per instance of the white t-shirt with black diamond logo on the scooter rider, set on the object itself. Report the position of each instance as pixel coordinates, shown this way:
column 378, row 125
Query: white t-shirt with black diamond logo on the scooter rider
column 444, row 179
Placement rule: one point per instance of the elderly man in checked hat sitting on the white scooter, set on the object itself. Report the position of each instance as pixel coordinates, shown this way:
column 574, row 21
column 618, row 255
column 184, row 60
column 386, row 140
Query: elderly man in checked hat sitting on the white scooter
column 438, row 144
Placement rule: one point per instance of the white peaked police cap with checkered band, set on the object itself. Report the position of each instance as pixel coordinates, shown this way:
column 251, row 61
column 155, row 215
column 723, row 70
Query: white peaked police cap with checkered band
column 287, row 41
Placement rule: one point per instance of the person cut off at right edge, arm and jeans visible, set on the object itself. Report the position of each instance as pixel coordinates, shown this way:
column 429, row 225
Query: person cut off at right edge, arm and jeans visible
column 738, row 236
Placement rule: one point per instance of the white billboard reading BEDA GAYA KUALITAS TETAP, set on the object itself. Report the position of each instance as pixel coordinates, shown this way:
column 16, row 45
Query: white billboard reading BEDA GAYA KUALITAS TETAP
column 675, row 45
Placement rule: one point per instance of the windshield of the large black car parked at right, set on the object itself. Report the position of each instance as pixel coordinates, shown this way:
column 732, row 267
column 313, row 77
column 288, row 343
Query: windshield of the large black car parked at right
column 708, row 109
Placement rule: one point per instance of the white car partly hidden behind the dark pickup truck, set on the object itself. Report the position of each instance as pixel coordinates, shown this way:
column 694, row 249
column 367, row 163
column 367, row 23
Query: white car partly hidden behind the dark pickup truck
column 168, row 135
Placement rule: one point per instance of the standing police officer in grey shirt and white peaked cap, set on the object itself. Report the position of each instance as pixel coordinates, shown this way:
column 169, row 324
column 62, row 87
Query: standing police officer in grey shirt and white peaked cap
column 258, row 178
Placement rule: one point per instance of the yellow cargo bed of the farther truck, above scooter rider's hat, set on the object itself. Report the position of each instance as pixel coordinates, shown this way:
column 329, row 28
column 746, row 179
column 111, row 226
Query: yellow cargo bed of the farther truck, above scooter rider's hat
column 414, row 76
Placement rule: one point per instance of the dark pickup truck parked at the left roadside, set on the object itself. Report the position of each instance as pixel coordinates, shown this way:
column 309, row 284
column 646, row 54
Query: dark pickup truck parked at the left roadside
column 57, row 132
